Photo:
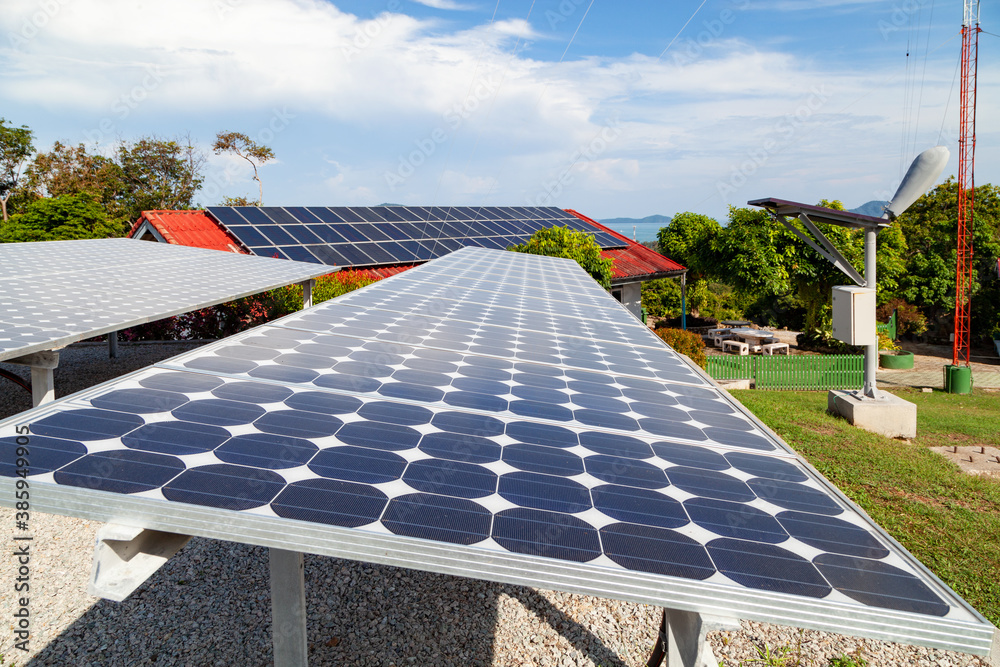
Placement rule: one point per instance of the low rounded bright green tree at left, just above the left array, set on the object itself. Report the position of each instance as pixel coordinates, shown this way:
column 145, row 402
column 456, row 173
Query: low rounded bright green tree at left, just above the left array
column 75, row 216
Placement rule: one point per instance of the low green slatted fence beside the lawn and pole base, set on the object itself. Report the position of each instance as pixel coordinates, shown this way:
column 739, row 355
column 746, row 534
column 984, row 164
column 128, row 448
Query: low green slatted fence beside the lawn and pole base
column 839, row 371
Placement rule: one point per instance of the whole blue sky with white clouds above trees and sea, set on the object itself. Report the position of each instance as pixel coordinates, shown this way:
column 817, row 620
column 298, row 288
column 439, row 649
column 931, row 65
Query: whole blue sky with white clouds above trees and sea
column 613, row 109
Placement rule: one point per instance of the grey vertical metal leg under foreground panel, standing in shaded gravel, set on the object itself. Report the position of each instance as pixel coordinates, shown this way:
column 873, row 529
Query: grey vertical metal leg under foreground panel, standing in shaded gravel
column 288, row 609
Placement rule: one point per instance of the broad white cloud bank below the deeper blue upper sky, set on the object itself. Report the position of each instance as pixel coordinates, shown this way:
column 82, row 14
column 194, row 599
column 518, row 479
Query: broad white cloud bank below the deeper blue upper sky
column 373, row 89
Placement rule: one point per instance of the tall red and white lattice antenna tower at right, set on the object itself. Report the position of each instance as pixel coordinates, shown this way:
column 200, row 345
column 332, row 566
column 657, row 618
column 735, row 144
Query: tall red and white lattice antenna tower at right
column 966, row 181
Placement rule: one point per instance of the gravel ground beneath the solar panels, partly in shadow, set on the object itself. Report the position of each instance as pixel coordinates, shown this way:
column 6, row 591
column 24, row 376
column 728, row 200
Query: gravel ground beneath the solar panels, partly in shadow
column 210, row 604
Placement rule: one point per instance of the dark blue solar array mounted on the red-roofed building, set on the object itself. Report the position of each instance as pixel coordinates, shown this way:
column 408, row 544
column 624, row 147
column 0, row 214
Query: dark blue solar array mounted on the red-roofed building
column 381, row 235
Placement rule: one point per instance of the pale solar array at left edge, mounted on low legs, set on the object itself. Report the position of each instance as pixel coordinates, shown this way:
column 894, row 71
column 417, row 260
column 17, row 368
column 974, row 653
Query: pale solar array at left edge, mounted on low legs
column 58, row 292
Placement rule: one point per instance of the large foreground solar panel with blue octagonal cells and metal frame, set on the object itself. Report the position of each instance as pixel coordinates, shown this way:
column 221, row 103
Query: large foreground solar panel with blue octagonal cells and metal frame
column 476, row 432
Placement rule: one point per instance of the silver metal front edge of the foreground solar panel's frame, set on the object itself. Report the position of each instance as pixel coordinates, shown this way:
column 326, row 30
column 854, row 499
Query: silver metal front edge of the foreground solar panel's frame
column 673, row 593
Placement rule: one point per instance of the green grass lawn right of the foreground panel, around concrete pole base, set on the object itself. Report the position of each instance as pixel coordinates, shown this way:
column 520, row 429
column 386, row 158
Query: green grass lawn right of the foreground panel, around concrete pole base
column 946, row 518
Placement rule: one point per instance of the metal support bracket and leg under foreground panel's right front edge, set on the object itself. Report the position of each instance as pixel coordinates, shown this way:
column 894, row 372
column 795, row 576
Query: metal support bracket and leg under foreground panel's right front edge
column 682, row 641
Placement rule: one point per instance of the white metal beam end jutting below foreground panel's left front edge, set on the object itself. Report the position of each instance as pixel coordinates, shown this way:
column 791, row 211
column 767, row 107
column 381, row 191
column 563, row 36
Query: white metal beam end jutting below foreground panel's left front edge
column 125, row 556
